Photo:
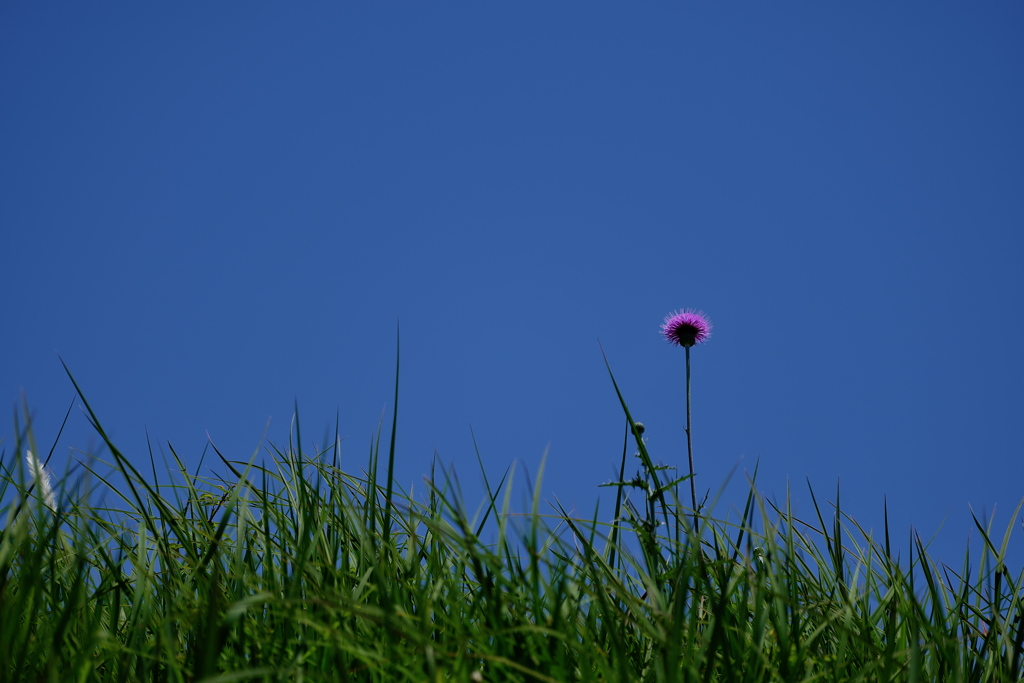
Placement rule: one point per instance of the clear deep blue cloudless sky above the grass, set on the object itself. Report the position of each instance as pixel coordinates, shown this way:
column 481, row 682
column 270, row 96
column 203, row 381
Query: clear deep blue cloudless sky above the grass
column 211, row 211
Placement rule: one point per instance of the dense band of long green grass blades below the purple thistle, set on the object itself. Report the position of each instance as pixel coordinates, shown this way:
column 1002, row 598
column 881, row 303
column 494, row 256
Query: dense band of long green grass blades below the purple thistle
column 293, row 570
